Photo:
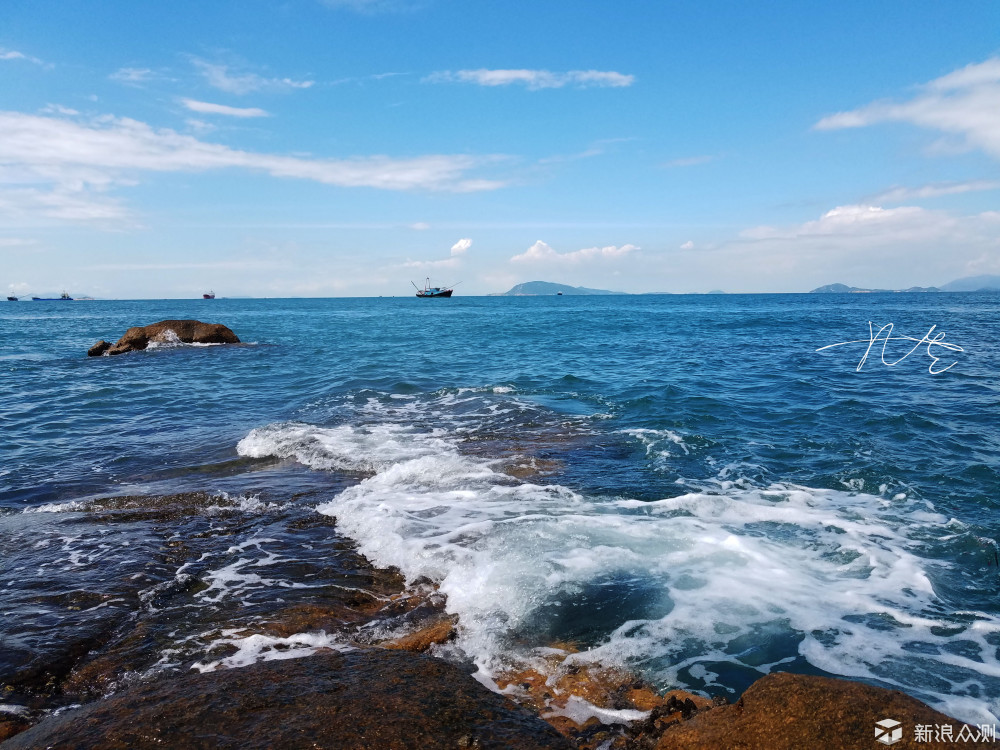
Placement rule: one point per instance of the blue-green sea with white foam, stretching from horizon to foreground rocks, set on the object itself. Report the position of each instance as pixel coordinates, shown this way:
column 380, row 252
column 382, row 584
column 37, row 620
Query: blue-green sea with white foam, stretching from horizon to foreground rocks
column 699, row 489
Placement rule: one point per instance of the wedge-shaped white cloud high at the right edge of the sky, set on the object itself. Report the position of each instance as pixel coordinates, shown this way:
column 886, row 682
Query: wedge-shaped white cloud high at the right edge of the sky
column 964, row 104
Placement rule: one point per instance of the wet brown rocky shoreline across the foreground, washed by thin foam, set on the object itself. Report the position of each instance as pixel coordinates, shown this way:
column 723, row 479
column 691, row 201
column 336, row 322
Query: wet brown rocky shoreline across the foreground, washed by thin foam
column 349, row 661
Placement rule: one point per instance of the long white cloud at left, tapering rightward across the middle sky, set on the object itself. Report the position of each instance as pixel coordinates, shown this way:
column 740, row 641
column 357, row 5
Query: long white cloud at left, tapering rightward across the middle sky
column 77, row 160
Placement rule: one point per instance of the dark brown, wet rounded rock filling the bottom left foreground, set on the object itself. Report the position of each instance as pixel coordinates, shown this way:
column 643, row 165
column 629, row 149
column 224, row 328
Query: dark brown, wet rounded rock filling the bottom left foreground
column 355, row 700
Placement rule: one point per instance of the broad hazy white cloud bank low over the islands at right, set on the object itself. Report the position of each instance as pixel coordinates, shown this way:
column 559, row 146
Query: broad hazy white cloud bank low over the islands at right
column 860, row 245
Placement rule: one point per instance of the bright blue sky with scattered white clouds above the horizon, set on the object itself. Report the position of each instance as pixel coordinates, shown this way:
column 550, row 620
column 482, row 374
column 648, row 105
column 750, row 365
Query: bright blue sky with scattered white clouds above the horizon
column 318, row 148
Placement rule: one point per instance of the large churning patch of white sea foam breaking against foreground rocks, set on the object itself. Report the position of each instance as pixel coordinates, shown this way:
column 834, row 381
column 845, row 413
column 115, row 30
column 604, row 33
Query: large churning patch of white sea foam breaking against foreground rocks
column 734, row 574
